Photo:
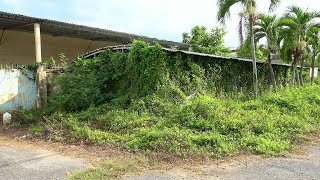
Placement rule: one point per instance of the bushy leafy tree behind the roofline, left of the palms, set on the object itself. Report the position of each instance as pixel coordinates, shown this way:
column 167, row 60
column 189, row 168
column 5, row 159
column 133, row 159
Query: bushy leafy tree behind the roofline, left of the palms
column 209, row 42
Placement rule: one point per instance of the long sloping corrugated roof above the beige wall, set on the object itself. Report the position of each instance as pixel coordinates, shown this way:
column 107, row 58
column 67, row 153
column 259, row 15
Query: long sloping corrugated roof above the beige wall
column 56, row 28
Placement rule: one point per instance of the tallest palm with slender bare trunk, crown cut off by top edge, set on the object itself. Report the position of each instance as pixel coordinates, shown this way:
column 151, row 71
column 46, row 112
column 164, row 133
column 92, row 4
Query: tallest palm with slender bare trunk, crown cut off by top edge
column 249, row 7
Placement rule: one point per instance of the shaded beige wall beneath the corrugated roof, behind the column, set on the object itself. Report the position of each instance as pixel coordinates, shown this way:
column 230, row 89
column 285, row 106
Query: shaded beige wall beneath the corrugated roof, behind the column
column 18, row 47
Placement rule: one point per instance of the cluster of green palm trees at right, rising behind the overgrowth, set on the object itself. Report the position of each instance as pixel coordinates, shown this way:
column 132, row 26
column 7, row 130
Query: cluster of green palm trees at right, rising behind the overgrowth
column 289, row 36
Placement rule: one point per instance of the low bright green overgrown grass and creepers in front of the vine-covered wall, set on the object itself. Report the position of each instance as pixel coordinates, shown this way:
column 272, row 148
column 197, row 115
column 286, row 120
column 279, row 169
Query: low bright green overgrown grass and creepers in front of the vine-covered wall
column 204, row 126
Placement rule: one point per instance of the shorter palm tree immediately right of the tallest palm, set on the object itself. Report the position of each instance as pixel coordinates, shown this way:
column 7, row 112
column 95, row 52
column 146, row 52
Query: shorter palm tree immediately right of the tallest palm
column 266, row 27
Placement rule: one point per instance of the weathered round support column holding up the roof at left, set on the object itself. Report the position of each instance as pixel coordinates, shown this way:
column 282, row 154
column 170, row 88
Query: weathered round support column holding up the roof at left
column 41, row 71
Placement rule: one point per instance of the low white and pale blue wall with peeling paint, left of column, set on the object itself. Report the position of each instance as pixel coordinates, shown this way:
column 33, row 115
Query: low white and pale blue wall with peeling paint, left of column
column 18, row 90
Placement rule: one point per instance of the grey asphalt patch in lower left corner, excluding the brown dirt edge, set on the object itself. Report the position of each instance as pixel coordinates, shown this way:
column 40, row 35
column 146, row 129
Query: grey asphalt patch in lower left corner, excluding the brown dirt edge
column 16, row 164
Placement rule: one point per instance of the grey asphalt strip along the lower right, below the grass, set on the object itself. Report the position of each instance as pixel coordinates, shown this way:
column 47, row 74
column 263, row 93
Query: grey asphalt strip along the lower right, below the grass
column 294, row 168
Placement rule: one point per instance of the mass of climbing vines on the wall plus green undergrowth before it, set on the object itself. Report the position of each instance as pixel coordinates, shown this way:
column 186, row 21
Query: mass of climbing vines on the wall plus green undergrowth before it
column 148, row 100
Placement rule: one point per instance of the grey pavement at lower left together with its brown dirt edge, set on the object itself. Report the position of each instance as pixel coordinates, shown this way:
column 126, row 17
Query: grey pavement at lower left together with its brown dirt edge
column 21, row 159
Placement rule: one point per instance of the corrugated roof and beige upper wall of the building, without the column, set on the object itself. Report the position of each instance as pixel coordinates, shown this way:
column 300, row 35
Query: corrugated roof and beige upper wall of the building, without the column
column 17, row 39
